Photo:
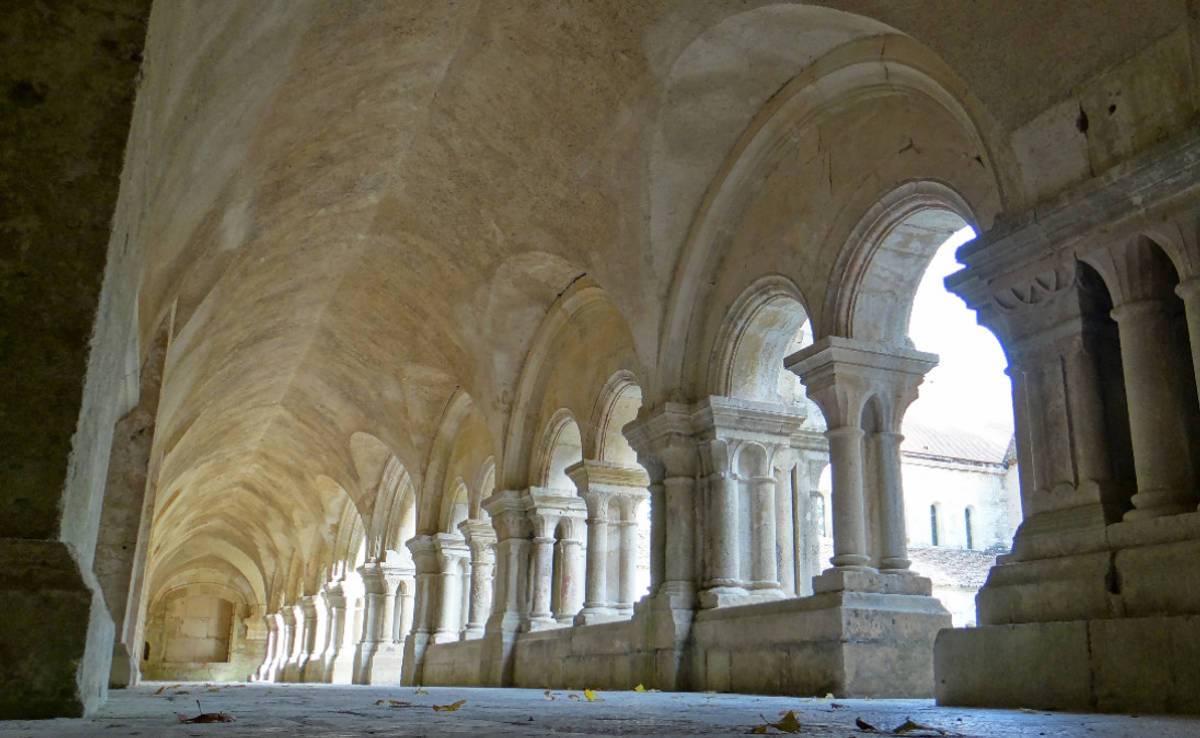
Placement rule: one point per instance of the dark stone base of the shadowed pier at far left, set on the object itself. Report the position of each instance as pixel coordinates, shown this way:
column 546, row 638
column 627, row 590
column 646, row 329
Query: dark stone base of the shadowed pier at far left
column 51, row 603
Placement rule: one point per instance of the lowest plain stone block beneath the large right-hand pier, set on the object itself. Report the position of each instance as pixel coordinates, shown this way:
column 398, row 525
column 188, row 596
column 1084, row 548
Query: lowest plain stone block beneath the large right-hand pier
column 1123, row 665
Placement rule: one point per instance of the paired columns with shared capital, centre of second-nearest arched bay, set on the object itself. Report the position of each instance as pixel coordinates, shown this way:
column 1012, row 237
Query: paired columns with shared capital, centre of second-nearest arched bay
column 613, row 495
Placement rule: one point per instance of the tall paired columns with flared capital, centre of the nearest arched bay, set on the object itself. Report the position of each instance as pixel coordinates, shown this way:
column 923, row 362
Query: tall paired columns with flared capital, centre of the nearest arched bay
column 863, row 389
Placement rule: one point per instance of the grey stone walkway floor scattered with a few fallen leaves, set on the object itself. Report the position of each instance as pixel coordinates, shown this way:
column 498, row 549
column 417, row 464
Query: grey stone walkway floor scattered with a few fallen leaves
column 344, row 711
